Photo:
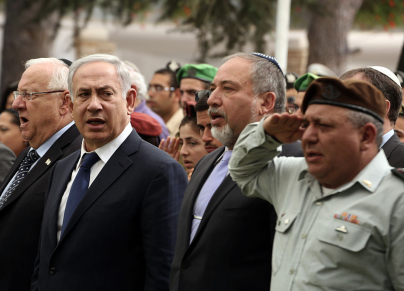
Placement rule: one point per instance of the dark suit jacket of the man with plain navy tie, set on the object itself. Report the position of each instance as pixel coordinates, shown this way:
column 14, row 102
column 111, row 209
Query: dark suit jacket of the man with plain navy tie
column 122, row 234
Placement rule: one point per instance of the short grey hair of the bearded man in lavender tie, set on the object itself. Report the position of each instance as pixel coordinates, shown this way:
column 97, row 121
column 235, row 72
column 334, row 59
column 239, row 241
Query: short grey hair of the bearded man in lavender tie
column 265, row 77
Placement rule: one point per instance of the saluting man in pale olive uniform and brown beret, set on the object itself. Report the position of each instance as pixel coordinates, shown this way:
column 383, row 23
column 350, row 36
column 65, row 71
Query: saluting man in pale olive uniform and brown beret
column 341, row 207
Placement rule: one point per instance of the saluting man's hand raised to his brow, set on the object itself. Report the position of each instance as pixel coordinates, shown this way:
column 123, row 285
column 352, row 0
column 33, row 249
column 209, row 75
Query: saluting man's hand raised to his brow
column 284, row 127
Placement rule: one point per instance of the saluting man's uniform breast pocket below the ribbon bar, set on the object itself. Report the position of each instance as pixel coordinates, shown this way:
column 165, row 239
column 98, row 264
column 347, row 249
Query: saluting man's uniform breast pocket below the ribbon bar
column 340, row 256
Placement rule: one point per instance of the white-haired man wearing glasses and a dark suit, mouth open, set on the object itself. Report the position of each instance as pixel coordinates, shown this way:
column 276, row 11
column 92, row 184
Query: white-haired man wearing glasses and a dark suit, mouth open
column 47, row 124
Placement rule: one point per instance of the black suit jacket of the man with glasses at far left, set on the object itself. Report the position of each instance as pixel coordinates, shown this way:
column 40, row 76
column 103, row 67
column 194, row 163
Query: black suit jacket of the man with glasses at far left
column 21, row 215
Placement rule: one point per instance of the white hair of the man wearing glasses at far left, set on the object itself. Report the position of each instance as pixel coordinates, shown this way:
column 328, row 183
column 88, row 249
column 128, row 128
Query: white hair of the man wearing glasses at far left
column 58, row 80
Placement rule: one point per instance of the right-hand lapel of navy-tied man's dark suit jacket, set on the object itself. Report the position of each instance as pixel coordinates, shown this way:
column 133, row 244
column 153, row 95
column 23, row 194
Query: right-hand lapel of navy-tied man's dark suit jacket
column 113, row 169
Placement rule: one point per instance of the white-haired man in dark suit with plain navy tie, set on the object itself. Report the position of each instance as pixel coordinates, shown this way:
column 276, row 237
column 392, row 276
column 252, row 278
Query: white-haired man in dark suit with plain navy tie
column 111, row 208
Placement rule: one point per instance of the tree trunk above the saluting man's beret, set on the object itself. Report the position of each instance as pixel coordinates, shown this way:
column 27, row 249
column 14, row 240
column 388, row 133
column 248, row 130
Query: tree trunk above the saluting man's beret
column 328, row 33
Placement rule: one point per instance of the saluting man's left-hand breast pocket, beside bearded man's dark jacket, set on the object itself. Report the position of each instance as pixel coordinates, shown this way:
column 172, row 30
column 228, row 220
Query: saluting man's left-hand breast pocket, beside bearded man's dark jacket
column 282, row 235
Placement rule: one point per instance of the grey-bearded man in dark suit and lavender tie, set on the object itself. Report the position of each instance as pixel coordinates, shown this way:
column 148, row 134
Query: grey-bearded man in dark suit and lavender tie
column 224, row 240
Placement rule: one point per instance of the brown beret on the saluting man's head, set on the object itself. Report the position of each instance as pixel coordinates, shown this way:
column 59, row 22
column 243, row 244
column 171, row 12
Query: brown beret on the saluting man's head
column 351, row 94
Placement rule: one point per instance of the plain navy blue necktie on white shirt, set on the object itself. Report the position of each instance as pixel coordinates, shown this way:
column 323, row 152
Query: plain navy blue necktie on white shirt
column 79, row 187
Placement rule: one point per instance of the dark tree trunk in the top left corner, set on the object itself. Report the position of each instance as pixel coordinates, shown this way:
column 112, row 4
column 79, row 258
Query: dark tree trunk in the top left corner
column 24, row 39
